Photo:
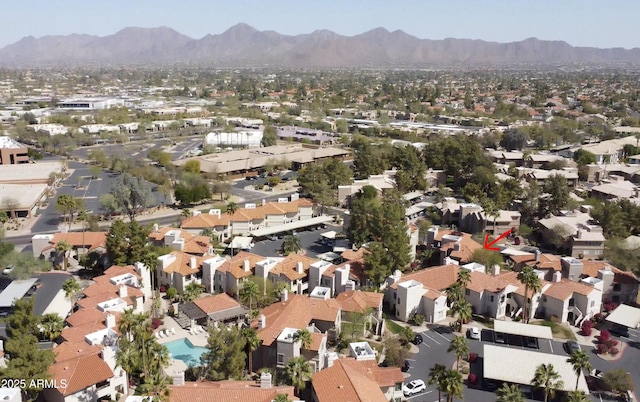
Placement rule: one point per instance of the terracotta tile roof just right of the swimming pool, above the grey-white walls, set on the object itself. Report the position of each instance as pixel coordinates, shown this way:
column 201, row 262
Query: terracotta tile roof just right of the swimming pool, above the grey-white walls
column 297, row 312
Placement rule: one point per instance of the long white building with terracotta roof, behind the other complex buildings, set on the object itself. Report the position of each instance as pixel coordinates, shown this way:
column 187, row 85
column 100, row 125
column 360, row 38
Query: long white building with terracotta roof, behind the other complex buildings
column 251, row 218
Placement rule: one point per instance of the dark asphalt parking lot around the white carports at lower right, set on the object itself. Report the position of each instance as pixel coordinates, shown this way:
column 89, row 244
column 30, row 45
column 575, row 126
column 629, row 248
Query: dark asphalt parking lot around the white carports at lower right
column 436, row 340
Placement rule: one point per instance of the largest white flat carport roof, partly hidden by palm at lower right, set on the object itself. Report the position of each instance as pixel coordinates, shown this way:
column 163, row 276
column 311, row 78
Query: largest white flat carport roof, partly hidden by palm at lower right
column 518, row 366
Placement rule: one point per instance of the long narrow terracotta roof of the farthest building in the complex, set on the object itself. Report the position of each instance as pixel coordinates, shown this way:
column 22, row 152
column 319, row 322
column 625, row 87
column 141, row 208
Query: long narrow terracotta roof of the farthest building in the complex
column 244, row 215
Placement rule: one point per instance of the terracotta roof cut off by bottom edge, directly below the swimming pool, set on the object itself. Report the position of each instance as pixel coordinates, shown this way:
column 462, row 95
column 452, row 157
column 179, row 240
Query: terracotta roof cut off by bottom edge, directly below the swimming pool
column 233, row 391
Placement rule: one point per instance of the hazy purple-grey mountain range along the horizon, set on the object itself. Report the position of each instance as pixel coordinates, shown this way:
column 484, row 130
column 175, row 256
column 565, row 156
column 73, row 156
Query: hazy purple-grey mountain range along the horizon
column 244, row 46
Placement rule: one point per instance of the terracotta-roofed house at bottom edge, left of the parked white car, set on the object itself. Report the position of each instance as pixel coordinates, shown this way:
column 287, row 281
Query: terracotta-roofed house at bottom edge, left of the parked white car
column 350, row 379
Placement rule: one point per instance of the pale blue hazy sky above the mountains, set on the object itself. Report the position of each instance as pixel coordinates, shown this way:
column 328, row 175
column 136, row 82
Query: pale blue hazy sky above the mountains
column 601, row 23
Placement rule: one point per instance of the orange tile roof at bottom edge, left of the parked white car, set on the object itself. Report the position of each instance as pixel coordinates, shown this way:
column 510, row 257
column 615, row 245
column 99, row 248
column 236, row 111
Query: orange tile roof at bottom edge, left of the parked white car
column 347, row 381
